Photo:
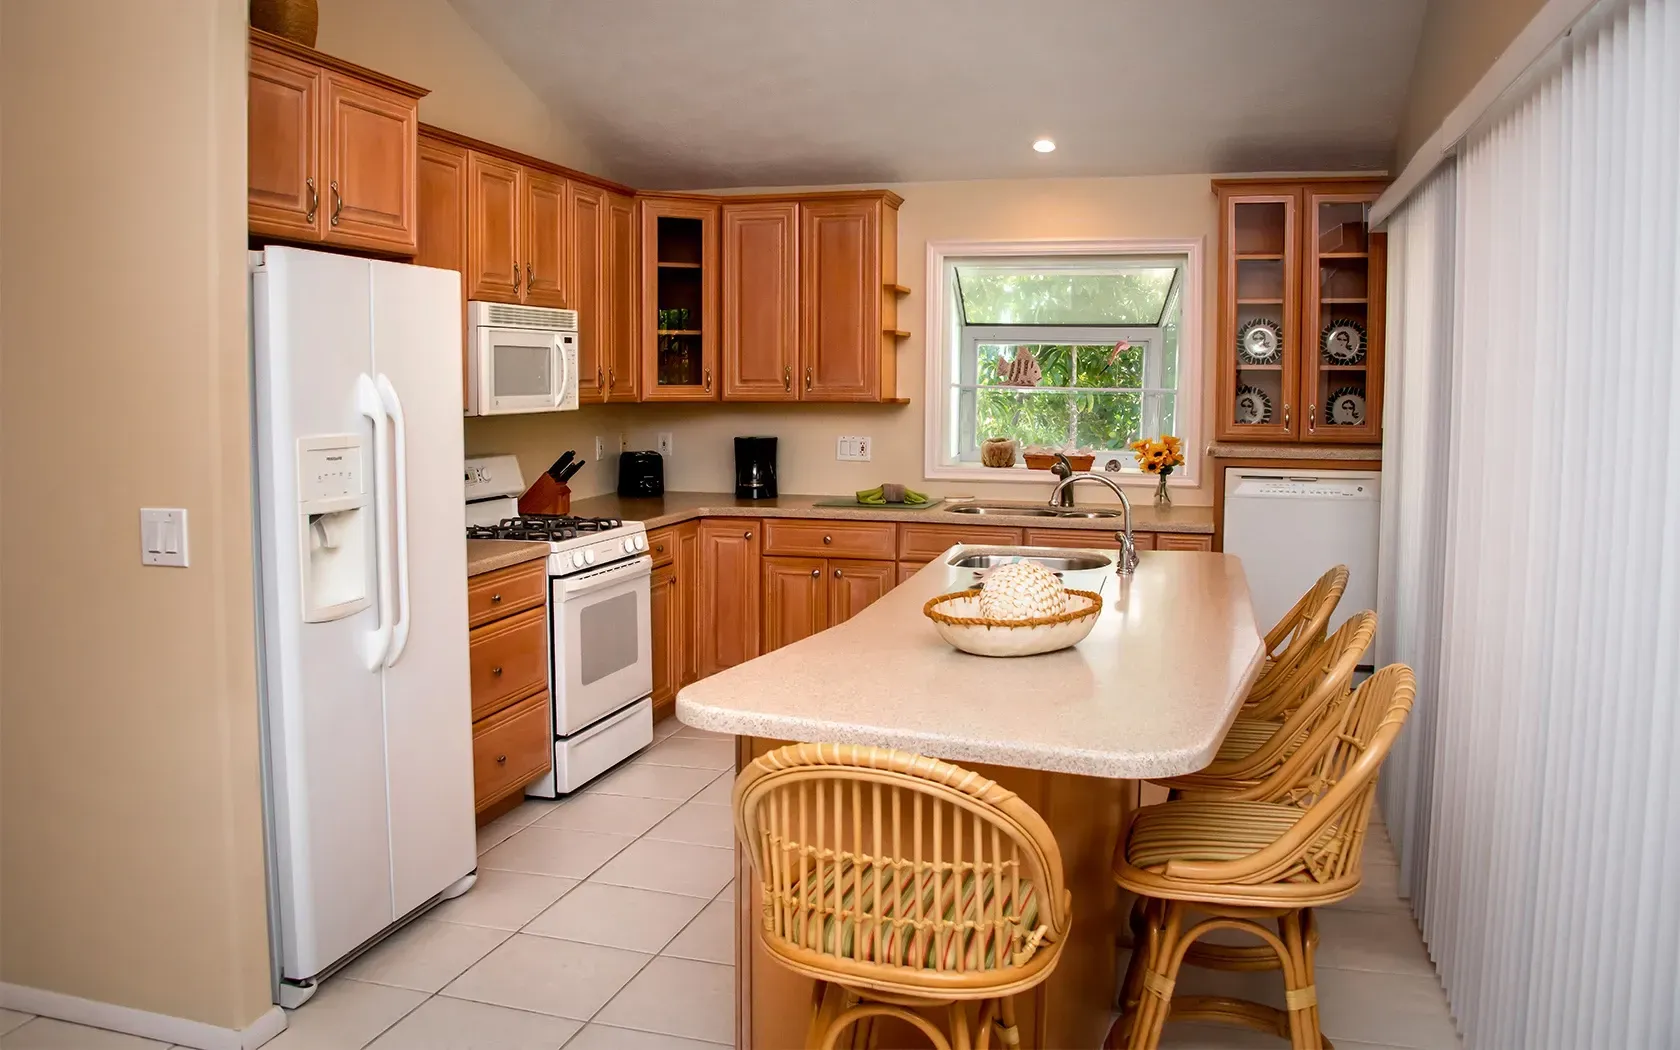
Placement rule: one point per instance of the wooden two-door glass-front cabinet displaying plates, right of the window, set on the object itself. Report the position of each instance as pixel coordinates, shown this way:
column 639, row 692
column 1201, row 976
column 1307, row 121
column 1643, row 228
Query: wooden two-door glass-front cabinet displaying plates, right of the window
column 1301, row 313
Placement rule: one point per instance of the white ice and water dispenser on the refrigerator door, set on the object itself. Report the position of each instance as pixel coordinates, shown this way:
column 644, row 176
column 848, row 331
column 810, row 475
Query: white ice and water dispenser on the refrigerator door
column 335, row 527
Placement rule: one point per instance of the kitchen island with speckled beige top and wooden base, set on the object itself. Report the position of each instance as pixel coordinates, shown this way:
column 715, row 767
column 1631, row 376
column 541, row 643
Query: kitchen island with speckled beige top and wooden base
column 1150, row 693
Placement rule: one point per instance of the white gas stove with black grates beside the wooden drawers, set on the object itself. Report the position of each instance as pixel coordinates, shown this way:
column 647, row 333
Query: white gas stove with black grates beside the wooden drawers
column 601, row 638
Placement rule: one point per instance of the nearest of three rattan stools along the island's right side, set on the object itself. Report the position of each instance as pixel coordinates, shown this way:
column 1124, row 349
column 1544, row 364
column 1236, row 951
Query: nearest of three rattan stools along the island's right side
column 1246, row 861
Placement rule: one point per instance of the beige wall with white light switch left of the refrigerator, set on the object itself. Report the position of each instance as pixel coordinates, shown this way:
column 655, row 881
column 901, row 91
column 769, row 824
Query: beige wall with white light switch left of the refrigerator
column 130, row 795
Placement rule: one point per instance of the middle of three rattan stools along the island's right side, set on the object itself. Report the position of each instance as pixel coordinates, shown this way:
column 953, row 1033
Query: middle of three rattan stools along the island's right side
column 1256, row 750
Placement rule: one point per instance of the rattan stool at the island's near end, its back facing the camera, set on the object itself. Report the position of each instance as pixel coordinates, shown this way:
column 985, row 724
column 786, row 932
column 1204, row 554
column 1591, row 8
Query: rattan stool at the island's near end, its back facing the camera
column 903, row 886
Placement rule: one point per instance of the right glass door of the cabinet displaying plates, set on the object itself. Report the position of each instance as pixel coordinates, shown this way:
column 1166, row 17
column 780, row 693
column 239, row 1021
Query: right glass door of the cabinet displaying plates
column 1343, row 285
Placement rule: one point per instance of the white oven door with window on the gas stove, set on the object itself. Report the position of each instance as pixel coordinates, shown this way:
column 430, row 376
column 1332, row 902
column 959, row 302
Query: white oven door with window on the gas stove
column 602, row 648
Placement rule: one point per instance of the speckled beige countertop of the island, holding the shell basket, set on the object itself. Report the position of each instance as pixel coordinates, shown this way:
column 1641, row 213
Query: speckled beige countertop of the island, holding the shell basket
column 1150, row 693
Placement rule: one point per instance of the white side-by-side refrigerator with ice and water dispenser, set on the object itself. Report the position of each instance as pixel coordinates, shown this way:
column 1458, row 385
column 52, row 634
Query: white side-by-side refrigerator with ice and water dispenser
column 364, row 601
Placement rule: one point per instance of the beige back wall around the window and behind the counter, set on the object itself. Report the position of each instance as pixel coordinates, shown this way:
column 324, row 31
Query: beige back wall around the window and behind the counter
column 958, row 211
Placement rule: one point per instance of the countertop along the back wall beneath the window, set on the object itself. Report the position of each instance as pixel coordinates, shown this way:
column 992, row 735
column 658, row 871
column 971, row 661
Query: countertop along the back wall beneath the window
column 675, row 508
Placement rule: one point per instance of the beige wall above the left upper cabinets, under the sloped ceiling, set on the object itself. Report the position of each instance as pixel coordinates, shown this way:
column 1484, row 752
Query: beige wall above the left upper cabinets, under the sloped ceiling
column 473, row 90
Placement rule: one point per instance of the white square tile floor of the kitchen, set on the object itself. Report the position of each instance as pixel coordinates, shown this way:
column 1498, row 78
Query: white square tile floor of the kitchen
column 606, row 923
